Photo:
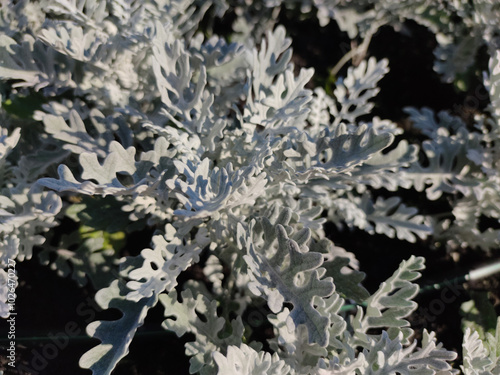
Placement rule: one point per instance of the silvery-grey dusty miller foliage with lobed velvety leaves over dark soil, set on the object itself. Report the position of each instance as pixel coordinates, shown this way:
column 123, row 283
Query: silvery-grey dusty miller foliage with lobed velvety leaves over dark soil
column 141, row 121
